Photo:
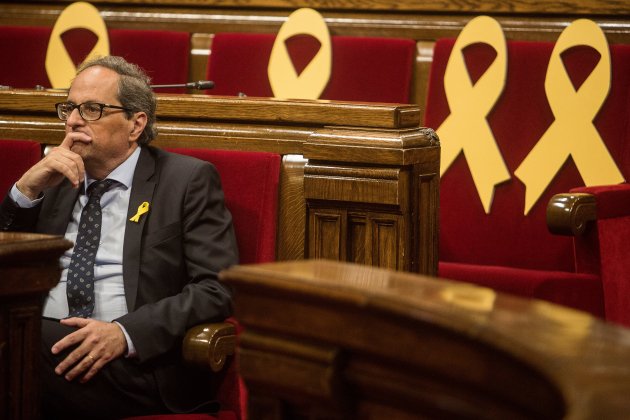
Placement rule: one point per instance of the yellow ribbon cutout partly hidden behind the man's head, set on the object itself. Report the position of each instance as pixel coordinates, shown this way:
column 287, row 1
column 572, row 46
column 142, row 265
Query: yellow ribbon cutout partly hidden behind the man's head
column 59, row 65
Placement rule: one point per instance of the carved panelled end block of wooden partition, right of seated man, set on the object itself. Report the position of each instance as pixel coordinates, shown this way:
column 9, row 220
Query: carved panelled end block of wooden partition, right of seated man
column 370, row 194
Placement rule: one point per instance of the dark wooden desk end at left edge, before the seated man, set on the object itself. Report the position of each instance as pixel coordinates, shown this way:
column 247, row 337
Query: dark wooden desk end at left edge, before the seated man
column 29, row 268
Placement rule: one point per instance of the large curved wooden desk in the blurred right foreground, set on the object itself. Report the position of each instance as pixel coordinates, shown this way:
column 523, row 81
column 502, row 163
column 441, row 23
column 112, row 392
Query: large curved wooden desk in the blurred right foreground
column 332, row 340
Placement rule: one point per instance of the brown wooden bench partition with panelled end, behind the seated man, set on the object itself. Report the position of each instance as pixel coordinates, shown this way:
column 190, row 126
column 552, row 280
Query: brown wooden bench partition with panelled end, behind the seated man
column 359, row 181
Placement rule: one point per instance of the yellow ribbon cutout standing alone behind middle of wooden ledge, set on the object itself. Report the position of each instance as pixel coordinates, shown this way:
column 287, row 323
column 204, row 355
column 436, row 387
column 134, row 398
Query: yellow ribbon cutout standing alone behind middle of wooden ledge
column 311, row 82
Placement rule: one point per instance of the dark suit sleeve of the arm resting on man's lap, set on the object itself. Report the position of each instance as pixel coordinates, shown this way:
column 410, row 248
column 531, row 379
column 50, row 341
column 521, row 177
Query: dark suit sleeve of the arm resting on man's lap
column 207, row 245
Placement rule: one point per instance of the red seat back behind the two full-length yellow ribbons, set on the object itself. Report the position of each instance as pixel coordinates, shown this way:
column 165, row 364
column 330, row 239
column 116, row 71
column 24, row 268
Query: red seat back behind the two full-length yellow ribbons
column 522, row 114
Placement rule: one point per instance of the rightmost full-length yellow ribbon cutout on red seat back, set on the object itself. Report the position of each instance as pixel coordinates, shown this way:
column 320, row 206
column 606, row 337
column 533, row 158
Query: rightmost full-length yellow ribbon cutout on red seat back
column 572, row 133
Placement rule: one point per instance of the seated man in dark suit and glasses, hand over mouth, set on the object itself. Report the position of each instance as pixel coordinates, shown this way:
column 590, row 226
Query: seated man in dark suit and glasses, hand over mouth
column 165, row 236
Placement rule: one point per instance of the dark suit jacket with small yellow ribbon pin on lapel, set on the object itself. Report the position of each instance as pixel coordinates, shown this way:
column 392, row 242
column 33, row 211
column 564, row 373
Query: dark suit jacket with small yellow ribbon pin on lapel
column 171, row 261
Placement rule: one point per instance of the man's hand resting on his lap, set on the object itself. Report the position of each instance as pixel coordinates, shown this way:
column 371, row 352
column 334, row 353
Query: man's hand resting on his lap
column 98, row 343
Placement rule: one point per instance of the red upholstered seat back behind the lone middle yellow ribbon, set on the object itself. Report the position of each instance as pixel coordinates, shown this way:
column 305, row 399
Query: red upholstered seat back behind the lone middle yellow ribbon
column 363, row 69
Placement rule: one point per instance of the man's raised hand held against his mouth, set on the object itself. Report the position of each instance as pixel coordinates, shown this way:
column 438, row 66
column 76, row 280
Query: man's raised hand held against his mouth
column 61, row 162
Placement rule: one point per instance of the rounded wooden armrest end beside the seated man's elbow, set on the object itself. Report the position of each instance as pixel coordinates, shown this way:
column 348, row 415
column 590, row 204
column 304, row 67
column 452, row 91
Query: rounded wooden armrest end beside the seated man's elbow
column 209, row 345
